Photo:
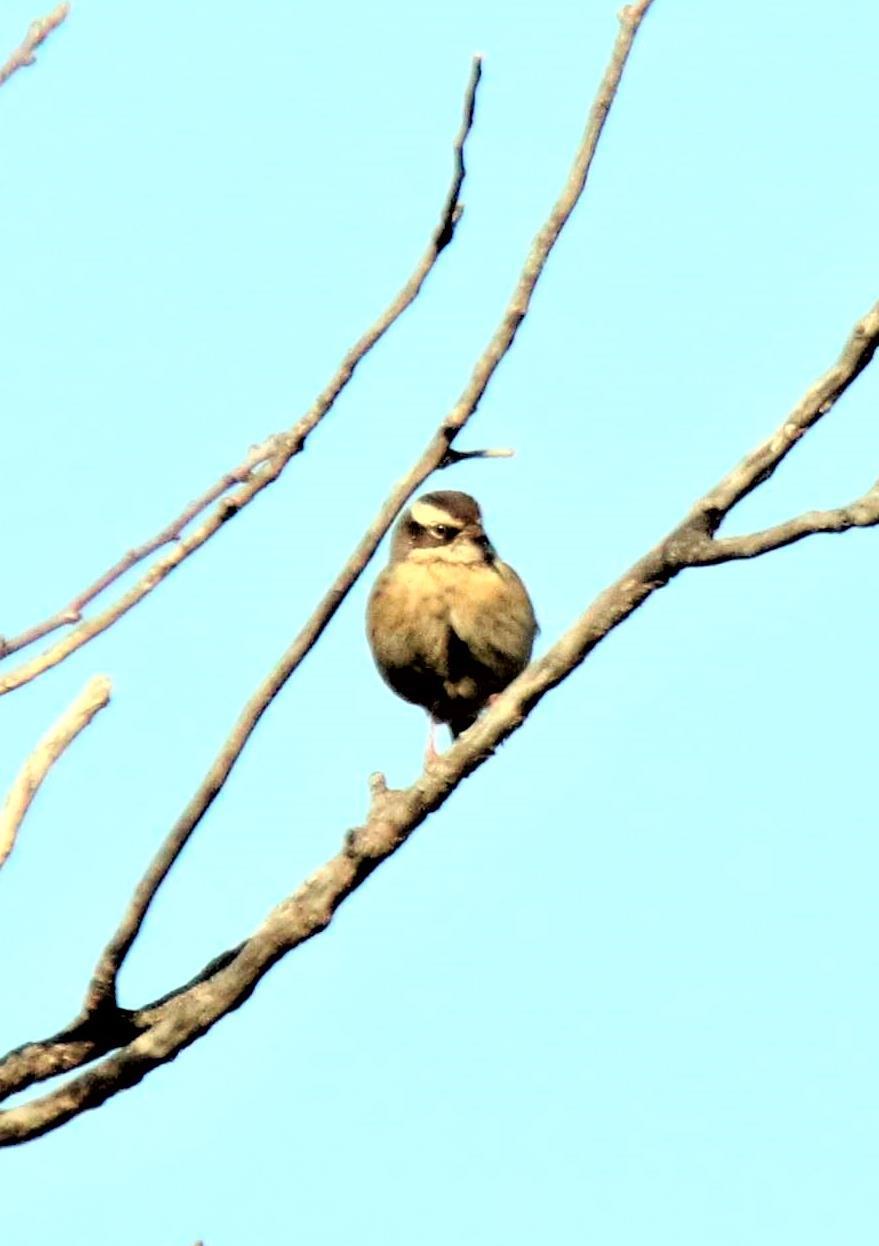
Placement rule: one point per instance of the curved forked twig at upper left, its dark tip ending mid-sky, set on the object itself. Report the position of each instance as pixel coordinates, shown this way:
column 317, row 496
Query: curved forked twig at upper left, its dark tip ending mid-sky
column 255, row 474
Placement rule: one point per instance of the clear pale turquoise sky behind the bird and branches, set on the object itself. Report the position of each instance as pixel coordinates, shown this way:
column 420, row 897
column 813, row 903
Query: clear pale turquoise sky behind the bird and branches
column 624, row 987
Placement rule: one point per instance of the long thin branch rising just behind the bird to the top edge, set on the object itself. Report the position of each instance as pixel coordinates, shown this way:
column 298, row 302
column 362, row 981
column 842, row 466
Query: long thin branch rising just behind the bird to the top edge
column 103, row 987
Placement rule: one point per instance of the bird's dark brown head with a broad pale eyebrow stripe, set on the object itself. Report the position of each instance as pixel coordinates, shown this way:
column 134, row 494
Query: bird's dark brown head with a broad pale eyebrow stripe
column 444, row 526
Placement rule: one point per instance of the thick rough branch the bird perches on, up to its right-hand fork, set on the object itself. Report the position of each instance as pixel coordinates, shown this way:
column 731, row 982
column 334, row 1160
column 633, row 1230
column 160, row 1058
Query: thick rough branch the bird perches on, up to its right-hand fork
column 180, row 1020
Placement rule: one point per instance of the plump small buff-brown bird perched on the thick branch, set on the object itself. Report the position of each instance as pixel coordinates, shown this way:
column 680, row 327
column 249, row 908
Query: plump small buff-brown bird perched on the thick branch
column 448, row 622
